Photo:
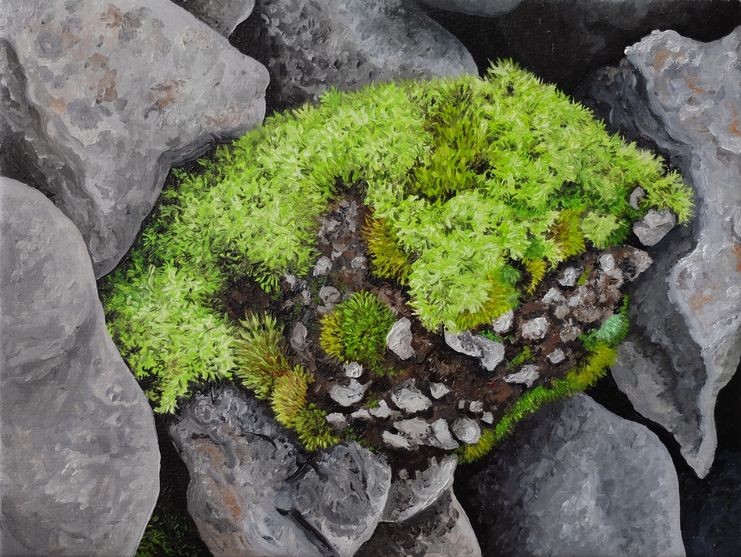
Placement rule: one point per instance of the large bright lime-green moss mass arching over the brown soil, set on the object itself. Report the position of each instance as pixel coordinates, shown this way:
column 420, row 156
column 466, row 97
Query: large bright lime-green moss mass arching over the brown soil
column 470, row 177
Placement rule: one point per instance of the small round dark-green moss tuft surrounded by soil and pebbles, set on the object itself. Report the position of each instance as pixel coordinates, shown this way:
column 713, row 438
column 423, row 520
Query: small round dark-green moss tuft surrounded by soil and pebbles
column 357, row 329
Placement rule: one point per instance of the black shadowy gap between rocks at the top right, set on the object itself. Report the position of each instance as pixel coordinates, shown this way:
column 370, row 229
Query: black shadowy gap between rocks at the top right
column 548, row 38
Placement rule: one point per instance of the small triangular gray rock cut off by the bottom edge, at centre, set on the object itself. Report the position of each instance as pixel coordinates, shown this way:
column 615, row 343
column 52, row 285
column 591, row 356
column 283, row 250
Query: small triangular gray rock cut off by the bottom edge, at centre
column 442, row 530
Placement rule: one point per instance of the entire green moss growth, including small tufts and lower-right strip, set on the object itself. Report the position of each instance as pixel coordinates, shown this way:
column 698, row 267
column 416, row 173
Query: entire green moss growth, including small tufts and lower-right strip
column 473, row 192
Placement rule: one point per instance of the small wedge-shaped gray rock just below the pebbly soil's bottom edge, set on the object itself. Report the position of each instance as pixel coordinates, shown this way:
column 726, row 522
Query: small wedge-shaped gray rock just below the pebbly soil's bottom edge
column 408, row 497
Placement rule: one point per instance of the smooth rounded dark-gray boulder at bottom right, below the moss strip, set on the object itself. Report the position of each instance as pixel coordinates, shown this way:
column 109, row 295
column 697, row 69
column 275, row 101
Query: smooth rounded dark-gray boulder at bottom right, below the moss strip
column 576, row 480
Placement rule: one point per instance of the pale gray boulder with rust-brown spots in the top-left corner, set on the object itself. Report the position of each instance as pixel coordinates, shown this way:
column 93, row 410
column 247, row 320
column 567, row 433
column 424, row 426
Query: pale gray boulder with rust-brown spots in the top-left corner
column 102, row 96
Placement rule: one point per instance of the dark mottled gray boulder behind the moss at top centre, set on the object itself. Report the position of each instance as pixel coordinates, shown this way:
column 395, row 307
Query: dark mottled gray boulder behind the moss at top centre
column 310, row 46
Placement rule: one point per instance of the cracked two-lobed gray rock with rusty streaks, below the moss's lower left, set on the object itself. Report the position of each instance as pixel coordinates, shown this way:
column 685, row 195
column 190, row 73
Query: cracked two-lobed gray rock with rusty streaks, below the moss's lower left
column 255, row 491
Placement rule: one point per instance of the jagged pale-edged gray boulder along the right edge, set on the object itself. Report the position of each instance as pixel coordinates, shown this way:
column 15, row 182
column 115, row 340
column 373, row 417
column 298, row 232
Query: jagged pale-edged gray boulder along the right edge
column 684, row 96
